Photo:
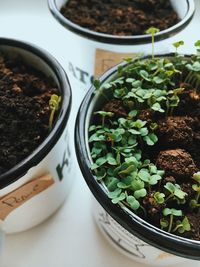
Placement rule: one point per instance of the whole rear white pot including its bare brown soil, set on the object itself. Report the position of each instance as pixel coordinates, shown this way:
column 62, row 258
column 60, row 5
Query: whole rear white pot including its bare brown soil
column 100, row 34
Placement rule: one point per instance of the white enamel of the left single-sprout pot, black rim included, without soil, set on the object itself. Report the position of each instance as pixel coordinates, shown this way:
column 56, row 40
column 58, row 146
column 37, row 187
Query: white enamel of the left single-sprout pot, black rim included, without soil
column 33, row 190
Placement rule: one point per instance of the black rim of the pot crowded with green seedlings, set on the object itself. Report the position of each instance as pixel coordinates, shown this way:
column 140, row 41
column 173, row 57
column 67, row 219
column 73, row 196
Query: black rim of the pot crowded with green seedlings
column 135, row 225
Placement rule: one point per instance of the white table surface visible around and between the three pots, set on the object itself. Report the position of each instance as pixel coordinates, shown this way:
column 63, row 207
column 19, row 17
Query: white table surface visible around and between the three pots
column 70, row 237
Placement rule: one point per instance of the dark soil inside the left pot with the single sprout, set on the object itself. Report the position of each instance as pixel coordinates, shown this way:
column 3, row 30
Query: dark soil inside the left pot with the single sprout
column 24, row 110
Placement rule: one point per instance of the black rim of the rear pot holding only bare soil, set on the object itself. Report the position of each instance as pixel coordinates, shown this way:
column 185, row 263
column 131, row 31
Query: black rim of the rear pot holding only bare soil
column 122, row 40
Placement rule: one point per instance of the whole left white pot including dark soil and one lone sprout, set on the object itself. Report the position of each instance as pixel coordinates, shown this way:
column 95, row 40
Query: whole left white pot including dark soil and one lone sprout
column 35, row 101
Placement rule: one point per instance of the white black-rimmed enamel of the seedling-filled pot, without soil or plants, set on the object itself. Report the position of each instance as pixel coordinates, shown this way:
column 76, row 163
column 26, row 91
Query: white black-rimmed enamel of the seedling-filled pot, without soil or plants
column 132, row 235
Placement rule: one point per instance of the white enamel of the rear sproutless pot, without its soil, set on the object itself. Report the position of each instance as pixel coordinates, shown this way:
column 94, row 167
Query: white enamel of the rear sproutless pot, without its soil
column 89, row 53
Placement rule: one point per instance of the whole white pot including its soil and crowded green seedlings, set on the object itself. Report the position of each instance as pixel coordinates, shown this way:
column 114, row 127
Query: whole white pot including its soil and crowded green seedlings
column 137, row 143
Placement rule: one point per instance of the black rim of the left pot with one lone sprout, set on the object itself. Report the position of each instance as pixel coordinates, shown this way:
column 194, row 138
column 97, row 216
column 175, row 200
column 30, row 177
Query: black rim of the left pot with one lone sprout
column 45, row 147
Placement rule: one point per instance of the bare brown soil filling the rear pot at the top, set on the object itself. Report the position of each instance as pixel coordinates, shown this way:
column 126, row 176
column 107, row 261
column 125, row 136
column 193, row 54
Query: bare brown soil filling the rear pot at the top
column 118, row 17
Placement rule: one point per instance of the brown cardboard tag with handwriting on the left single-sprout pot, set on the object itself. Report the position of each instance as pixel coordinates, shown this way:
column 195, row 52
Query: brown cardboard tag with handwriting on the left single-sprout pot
column 19, row 196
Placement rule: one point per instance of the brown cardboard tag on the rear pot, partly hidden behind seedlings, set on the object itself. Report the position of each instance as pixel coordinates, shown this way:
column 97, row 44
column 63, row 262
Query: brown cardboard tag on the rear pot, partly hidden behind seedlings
column 104, row 60
